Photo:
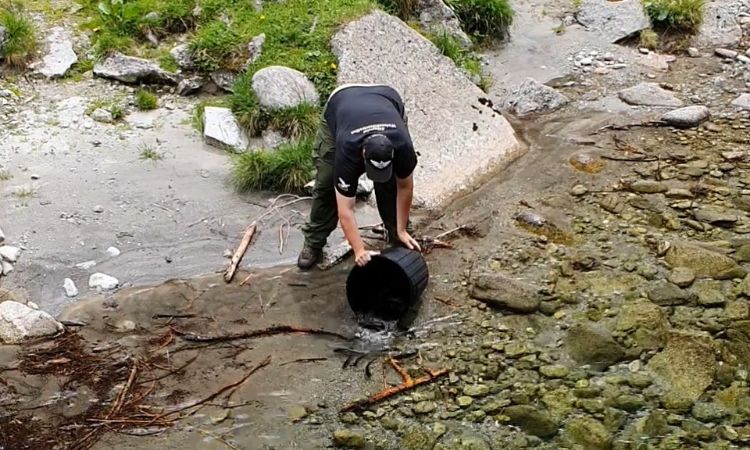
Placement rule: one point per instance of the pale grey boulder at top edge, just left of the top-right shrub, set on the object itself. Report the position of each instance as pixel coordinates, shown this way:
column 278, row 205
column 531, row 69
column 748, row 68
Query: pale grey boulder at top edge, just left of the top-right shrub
column 614, row 20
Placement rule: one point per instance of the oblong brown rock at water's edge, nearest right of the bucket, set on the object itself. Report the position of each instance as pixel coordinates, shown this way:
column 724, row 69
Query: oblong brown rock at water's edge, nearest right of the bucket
column 501, row 291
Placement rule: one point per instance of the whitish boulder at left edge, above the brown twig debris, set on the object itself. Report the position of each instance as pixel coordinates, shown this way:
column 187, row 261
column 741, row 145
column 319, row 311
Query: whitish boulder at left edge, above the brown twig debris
column 19, row 322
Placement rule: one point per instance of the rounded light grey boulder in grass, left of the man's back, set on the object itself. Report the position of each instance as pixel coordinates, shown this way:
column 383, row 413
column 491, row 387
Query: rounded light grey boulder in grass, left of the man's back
column 279, row 87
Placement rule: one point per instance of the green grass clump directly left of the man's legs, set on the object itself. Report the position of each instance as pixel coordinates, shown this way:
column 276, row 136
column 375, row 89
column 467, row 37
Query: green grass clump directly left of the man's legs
column 287, row 169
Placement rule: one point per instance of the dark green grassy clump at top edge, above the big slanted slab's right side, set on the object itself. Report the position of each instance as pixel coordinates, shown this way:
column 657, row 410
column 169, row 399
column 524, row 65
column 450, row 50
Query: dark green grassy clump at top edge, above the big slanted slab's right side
column 484, row 19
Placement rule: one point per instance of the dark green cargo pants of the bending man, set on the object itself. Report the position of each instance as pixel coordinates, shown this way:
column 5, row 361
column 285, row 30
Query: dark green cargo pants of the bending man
column 324, row 213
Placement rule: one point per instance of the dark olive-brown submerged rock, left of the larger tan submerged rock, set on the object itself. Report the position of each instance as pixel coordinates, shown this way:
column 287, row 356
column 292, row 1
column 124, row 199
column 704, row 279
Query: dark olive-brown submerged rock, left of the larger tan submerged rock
column 593, row 345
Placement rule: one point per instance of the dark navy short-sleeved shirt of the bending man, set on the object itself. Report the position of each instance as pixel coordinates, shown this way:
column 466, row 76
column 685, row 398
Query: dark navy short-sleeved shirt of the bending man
column 355, row 112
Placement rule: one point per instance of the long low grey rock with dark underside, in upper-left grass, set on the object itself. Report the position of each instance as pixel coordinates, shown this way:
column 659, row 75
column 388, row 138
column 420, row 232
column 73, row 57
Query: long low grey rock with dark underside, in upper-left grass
column 131, row 70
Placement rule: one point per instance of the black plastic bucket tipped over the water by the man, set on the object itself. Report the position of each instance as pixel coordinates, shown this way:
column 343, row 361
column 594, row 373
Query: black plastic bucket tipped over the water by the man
column 389, row 285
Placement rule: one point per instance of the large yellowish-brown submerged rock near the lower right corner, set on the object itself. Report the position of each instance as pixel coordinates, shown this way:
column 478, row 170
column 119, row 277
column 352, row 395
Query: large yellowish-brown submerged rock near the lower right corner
column 686, row 366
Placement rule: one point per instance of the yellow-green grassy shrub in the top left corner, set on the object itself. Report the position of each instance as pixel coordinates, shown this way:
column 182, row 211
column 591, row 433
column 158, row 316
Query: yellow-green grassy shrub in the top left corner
column 21, row 42
